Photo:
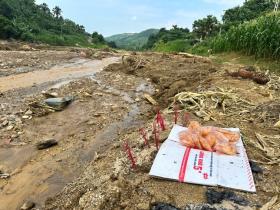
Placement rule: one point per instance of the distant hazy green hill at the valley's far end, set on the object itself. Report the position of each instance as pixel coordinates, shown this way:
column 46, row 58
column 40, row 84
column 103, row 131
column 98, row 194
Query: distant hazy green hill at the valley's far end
column 132, row 41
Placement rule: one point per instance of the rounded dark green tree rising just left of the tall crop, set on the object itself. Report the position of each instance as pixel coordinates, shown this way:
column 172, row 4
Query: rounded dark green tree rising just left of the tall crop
column 206, row 27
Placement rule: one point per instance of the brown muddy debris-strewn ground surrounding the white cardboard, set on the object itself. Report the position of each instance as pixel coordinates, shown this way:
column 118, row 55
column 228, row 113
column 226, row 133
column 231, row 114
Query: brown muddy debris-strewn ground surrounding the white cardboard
column 89, row 169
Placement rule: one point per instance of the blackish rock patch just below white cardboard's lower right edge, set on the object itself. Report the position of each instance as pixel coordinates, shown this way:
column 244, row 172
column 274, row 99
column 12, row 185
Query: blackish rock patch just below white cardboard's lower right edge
column 214, row 197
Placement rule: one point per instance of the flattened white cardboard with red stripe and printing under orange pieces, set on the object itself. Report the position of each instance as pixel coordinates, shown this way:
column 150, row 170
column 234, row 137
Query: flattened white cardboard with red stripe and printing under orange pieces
column 177, row 162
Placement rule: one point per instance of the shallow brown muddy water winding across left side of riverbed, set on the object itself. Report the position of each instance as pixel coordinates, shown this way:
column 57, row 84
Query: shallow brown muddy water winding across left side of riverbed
column 38, row 175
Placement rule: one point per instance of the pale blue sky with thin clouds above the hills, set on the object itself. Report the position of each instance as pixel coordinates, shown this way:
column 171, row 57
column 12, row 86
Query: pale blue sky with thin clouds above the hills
column 110, row 17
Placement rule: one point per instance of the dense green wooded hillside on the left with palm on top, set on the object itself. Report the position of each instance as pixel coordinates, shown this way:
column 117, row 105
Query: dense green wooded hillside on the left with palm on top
column 24, row 20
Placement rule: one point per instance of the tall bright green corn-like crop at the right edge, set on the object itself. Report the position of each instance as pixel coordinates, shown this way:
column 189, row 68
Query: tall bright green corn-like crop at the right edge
column 259, row 37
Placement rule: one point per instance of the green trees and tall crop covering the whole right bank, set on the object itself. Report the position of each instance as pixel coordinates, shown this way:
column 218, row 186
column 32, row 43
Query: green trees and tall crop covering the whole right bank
column 252, row 29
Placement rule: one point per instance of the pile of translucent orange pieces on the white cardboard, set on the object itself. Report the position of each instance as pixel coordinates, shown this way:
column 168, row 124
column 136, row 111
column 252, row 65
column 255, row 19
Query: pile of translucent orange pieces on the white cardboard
column 209, row 138
